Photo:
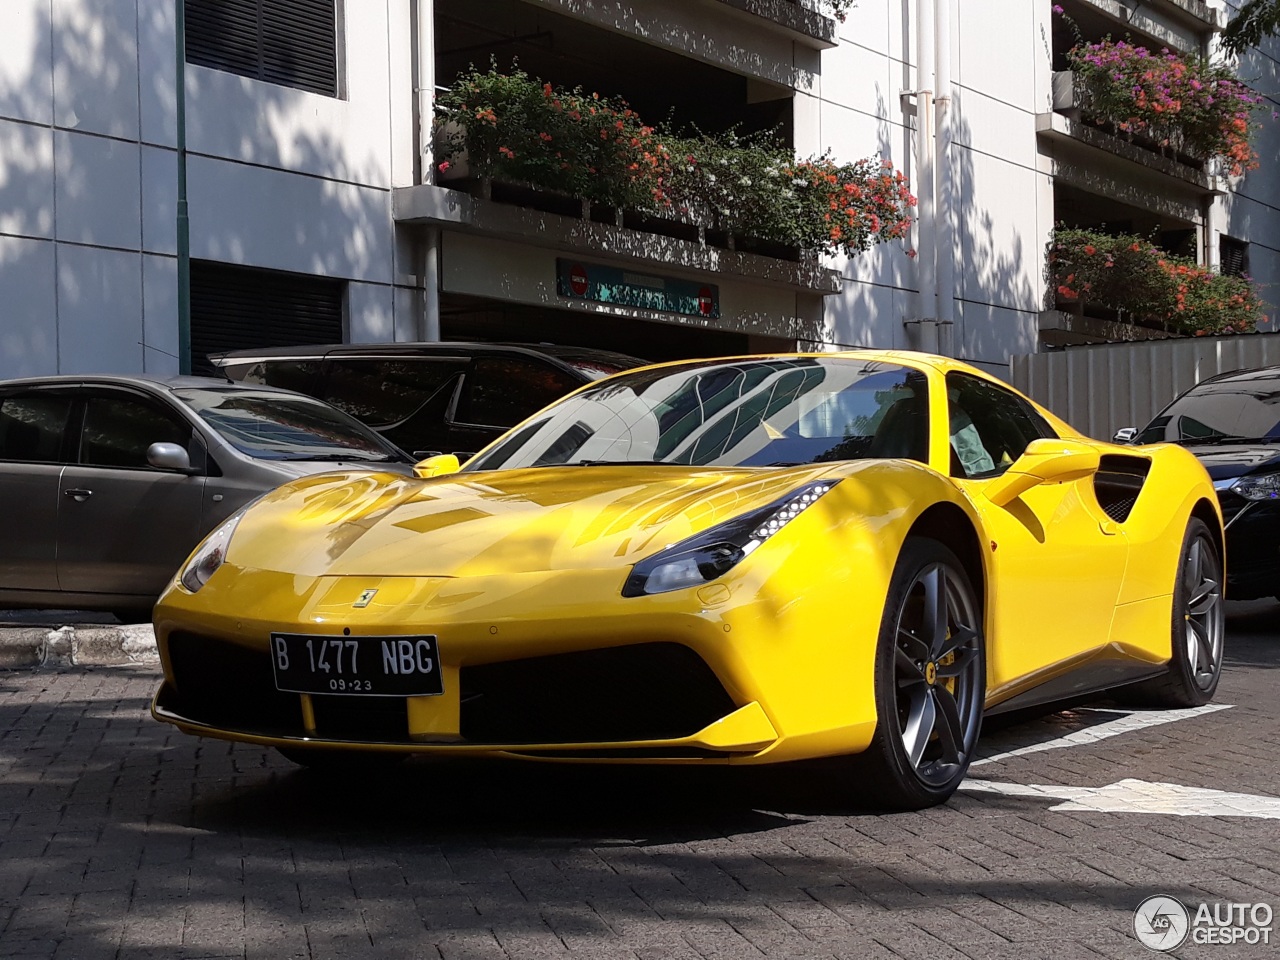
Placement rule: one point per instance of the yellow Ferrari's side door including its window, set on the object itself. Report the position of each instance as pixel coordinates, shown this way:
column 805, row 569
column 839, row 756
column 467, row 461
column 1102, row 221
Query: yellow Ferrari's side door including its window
column 1058, row 561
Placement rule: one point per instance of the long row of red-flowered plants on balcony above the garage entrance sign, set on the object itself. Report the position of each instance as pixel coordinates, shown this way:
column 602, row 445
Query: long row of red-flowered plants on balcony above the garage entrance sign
column 510, row 126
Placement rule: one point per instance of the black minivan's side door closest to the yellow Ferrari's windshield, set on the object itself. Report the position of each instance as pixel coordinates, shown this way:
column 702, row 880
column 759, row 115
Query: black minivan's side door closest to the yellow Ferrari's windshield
column 501, row 391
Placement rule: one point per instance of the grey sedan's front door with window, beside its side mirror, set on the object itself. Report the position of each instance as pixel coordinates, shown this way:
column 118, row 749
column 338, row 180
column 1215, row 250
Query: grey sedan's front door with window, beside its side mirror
column 125, row 527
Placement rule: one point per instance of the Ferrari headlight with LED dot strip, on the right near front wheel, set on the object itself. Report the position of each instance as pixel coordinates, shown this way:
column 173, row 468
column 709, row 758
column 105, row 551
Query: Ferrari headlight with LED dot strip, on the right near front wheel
column 715, row 552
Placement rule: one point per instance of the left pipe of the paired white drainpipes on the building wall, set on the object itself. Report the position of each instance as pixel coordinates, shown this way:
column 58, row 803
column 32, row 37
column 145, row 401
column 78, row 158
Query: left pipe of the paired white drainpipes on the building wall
column 926, row 245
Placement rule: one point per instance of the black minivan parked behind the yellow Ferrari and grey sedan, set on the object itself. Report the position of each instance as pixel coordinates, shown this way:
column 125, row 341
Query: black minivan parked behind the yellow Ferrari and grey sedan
column 429, row 397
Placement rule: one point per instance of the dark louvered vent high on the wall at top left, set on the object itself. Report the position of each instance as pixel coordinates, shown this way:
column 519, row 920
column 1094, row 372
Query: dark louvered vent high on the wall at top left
column 292, row 43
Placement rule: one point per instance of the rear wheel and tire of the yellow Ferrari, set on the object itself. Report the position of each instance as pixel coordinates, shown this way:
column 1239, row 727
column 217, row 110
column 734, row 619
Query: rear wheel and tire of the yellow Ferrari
column 1199, row 628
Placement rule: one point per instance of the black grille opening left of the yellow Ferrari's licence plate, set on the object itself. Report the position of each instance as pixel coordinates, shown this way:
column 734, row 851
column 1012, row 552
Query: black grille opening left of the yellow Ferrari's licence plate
column 230, row 687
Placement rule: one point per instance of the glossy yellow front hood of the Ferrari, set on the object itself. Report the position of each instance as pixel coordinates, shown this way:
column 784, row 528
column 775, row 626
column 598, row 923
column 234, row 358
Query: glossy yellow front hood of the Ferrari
column 515, row 522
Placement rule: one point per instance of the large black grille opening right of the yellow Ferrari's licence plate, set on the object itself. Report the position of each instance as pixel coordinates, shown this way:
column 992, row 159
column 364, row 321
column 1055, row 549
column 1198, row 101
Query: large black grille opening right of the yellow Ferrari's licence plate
column 644, row 692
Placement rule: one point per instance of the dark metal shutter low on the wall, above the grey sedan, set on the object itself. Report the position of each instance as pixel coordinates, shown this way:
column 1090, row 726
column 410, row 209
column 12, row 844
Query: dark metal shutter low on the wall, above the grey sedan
column 236, row 308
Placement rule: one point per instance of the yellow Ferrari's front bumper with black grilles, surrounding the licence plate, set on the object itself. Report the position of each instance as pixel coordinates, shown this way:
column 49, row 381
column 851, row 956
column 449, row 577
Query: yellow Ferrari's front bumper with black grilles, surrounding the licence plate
column 540, row 666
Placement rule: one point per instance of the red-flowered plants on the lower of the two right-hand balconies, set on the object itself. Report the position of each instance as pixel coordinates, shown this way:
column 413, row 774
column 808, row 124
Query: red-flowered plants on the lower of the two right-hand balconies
column 1145, row 285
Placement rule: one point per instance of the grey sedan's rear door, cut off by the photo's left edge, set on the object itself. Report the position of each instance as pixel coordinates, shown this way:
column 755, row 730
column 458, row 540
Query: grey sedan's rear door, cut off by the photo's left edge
column 33, row 458
